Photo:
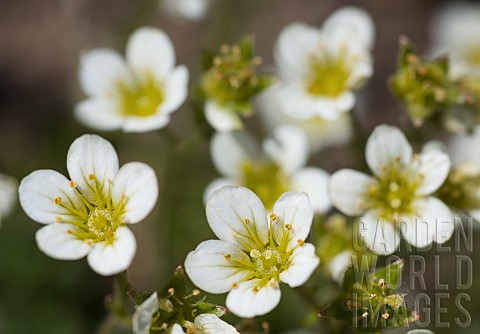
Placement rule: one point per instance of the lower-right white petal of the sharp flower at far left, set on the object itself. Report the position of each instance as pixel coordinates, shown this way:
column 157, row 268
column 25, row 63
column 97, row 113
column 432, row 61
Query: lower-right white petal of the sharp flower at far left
column 110, row 259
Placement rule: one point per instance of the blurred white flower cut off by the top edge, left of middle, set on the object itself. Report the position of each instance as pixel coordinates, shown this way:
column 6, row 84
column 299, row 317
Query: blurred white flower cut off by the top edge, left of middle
column 193, row 10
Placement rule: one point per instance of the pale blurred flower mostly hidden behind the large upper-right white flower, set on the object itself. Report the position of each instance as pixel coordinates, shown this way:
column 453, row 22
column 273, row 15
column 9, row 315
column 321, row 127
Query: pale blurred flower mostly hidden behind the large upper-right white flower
column 321, row 133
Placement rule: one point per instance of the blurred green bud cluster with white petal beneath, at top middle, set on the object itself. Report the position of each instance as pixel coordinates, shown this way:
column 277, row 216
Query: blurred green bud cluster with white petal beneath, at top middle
column 230, row 83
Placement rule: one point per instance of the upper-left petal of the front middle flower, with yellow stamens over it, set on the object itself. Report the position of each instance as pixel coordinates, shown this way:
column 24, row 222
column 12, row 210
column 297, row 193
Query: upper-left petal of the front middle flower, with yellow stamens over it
column 228, row 208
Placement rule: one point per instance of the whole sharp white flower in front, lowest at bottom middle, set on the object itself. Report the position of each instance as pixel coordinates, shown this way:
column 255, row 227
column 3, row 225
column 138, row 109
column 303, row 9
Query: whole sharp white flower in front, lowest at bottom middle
column 254, row 254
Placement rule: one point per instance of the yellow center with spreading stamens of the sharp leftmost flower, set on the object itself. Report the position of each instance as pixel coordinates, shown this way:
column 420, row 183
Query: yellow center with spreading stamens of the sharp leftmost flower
column 100, row 217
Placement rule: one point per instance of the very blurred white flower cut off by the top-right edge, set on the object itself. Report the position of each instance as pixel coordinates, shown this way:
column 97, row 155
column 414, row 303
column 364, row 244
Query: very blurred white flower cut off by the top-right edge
column 455, row 32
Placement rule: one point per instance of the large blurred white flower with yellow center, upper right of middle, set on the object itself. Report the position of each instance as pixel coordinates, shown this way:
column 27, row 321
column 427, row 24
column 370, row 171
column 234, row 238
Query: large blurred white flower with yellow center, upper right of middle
column 319, row 68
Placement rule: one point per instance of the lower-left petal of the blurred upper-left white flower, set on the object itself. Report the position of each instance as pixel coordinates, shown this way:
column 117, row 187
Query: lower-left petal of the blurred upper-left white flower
column 99, row 113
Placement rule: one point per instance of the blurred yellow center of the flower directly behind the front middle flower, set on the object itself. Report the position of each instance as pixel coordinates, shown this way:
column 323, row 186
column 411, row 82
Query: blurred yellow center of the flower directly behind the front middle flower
column 266, row 180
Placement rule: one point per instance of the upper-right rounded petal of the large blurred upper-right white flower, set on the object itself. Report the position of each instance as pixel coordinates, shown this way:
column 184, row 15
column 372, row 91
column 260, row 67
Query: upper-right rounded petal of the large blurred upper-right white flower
column 356, row 20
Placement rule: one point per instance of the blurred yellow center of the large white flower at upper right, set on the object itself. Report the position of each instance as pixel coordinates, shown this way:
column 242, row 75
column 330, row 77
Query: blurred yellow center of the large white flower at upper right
column 329, row 75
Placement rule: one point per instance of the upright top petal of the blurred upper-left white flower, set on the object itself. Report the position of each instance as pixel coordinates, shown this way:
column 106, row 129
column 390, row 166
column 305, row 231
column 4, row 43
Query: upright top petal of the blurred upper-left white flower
column 150, row 50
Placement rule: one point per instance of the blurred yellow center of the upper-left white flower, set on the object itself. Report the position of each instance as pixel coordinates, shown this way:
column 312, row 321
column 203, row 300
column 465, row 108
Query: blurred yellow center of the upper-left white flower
column 142, row 98
